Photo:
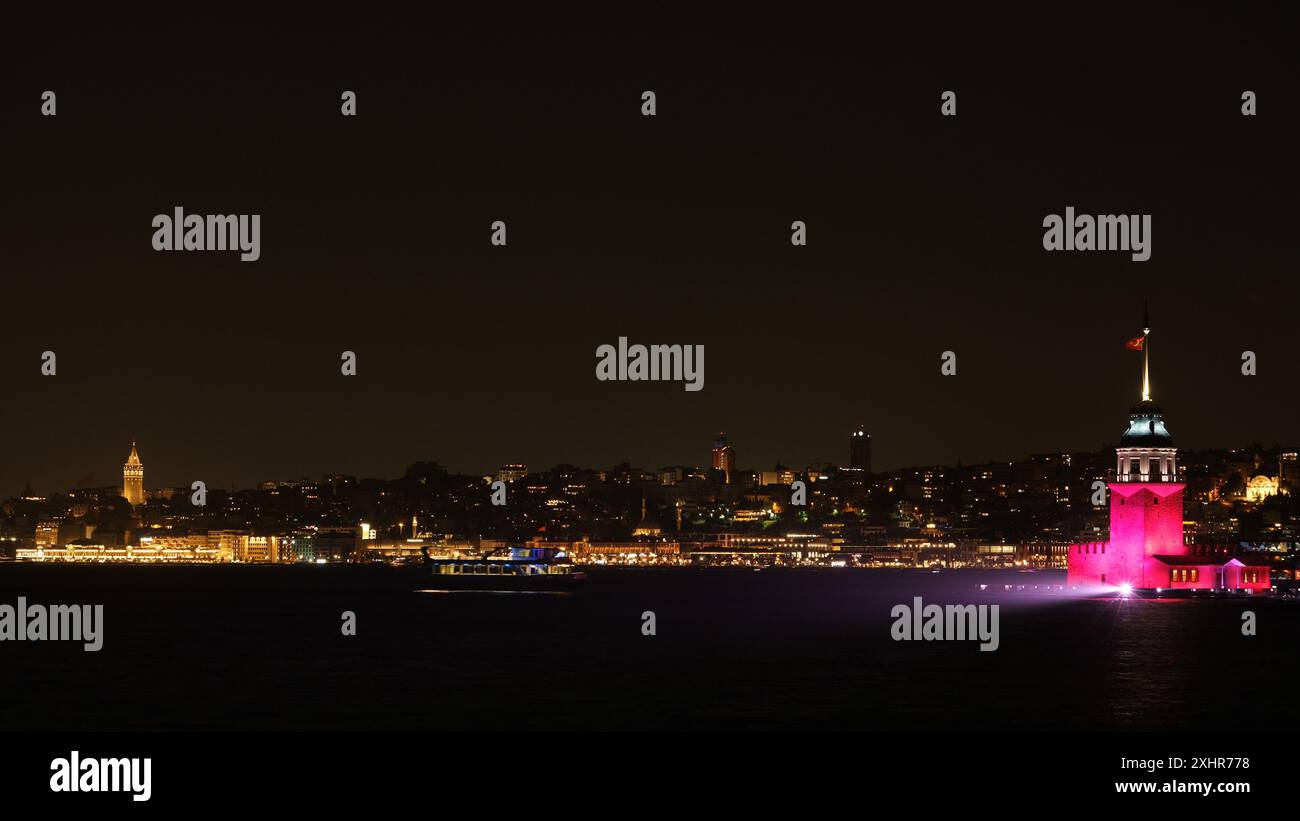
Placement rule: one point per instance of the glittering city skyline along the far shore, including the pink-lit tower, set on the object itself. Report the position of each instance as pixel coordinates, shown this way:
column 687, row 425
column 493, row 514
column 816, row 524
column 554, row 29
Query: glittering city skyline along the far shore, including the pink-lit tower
column 980, row 515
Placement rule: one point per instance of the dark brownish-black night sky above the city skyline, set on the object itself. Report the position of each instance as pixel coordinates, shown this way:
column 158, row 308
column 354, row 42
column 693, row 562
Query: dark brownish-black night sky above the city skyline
column 925, row 236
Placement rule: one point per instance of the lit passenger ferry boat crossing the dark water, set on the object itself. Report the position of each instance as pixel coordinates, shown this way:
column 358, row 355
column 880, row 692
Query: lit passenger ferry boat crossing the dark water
column 526, row 570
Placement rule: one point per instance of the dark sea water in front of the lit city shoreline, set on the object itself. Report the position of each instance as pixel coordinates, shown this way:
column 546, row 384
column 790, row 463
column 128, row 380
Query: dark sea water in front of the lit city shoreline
column 261, row 649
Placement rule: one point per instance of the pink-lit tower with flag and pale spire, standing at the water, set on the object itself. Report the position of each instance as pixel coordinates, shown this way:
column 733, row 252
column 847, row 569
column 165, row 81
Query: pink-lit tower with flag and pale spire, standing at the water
column 1146, row 549
